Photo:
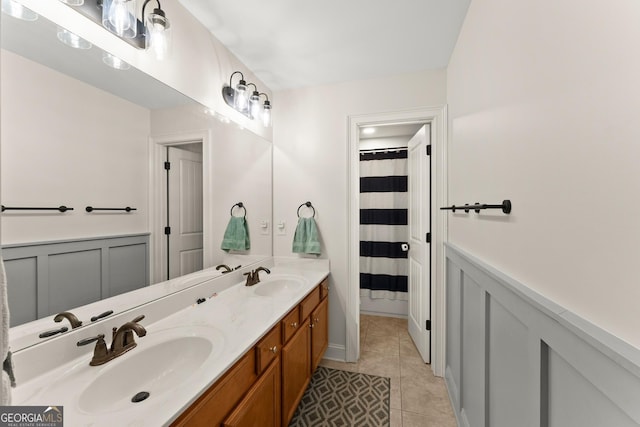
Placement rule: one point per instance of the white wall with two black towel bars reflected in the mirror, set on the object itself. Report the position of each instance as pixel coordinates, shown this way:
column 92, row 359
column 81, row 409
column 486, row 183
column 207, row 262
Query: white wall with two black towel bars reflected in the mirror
column 67, row 143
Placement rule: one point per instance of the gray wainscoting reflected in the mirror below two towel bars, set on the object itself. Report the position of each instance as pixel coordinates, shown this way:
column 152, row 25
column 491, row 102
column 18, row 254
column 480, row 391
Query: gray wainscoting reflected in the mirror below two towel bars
column 49, row 277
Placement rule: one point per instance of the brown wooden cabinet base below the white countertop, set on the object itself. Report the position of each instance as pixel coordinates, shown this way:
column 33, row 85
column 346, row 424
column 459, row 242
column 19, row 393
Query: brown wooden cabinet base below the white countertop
column 266, row 385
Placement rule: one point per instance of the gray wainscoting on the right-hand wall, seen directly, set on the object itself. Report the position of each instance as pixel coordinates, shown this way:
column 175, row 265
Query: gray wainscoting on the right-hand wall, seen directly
column 515, row 358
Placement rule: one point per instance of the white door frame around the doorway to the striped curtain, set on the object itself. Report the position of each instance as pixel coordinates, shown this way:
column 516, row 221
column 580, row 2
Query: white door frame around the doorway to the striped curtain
column 431, row 306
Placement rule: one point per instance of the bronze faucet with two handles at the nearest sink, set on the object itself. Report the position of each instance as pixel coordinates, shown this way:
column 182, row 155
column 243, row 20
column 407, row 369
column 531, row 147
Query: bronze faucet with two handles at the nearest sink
column 122, row 341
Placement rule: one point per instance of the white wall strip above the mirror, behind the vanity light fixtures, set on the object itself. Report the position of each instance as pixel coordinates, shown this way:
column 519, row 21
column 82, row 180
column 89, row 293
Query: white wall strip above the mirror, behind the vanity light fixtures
column 199, row 65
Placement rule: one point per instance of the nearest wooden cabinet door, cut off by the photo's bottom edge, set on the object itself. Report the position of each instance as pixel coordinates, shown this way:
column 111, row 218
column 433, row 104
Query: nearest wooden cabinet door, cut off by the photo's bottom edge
column 261, row 406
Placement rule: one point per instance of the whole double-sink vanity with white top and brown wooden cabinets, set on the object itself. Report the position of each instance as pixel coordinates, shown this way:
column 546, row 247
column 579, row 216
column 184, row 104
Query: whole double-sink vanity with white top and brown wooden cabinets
column 215, row 353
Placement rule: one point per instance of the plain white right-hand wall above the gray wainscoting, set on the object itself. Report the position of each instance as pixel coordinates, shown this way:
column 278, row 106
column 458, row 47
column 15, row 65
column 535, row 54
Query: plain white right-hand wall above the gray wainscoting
column 544, row 102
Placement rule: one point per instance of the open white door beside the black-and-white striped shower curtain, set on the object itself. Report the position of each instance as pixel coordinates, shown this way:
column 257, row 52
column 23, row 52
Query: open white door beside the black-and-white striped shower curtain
column 419, row 267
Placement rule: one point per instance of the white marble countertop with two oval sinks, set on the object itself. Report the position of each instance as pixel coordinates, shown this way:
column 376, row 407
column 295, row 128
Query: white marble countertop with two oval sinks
column 233, row 318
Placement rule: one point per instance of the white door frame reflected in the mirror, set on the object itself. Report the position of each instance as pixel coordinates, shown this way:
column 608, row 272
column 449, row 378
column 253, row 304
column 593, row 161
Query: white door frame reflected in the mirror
column 158, row 198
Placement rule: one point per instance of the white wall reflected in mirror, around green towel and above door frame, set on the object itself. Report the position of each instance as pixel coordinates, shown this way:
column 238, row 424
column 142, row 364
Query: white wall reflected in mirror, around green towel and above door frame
column 239, row 171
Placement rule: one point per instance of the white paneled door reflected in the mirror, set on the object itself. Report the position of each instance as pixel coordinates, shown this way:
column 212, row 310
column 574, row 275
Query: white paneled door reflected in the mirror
column 185, row 211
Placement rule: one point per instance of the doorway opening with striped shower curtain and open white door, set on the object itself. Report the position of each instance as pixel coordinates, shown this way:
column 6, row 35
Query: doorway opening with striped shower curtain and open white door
column 394, row 218
